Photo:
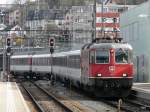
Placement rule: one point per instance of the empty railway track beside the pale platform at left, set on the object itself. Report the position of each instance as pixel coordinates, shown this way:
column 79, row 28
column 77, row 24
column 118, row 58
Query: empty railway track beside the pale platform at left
column 44, row 101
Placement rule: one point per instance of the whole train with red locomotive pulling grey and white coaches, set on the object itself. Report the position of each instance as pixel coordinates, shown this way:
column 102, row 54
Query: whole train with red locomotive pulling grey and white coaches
column 105, row 69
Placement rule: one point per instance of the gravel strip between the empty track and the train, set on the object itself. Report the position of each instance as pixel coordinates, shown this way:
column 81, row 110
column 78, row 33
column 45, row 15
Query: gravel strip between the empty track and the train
column 80, row 101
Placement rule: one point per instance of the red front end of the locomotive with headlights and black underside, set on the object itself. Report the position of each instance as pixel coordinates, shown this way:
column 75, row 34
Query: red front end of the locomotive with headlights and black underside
column 111, row 68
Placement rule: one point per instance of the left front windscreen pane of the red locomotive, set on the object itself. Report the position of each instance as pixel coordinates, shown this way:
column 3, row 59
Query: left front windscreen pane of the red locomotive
column 102, row 56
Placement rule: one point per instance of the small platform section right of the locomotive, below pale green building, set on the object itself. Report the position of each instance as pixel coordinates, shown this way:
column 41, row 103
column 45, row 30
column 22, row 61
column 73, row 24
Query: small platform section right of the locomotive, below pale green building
column 142, row 90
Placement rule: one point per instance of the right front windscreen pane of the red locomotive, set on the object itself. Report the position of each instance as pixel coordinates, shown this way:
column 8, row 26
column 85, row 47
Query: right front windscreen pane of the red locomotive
column 121, row 55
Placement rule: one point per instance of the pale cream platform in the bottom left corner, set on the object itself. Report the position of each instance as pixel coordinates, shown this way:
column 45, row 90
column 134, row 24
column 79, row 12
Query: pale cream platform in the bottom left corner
column 11, row 99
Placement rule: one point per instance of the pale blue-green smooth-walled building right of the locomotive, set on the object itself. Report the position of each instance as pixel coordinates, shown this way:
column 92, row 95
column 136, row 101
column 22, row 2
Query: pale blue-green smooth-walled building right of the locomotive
column 135, row 28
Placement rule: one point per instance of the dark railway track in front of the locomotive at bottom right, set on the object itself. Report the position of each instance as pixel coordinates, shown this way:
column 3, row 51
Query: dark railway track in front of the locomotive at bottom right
column 131, row 104
